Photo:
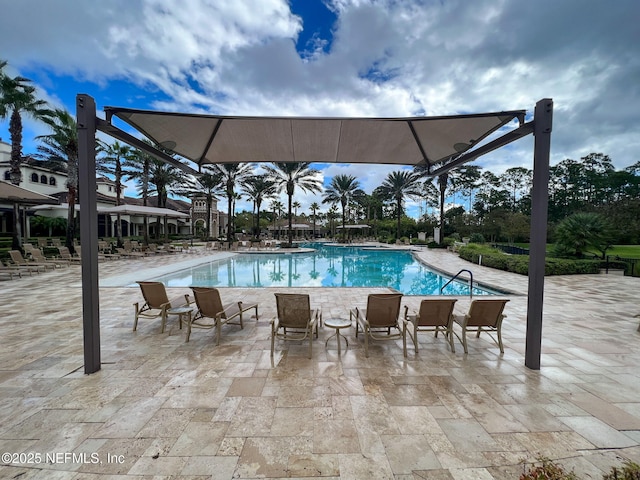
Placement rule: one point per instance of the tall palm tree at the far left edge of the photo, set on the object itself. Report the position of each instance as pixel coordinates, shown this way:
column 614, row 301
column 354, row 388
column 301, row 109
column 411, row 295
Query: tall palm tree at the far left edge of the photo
column 18, row 96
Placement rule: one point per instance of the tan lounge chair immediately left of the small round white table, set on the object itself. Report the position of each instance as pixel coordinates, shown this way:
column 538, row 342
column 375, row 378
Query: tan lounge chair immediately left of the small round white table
column 295, row 320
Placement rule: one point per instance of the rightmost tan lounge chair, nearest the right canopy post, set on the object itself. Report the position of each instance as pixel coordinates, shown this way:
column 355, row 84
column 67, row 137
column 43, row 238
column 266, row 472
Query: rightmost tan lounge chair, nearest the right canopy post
column 485, row 315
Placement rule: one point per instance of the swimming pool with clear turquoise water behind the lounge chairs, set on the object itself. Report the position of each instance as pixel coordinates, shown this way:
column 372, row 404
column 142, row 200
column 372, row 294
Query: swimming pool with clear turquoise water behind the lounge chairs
column 327, row 266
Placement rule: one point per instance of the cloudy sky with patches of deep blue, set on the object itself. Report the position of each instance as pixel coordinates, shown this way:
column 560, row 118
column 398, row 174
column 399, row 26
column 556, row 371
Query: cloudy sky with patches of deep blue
column 344, row 57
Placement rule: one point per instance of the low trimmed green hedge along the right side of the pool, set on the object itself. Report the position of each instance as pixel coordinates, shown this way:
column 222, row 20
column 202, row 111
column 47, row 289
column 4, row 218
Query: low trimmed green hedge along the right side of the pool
column 520, row 263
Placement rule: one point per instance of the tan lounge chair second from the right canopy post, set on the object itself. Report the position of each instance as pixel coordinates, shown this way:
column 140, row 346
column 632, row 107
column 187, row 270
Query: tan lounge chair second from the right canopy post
column 434, row 315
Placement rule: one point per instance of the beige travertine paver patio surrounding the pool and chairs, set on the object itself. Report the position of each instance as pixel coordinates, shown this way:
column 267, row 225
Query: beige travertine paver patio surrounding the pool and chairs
column 163, row 408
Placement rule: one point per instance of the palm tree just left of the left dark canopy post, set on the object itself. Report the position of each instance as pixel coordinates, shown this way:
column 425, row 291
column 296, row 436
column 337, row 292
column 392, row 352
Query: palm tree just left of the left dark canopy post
column 62, row 146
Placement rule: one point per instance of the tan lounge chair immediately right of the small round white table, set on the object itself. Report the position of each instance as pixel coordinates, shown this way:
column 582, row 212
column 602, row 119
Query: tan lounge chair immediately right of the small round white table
column 377, row 320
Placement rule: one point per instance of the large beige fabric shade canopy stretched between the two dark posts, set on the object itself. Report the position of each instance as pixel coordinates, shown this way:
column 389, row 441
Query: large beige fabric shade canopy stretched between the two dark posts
column 206, row 139
